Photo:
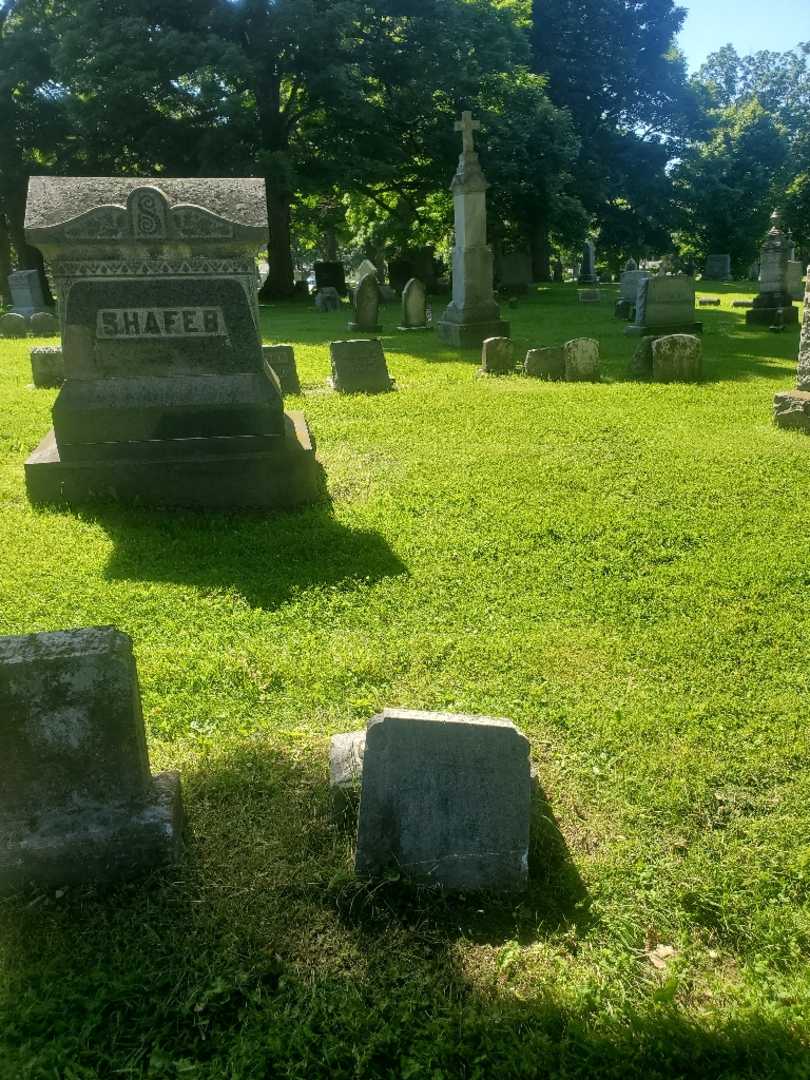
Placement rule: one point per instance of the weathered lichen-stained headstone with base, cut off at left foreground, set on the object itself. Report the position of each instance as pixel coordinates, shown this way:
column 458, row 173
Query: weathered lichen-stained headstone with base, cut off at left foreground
column 77, row 800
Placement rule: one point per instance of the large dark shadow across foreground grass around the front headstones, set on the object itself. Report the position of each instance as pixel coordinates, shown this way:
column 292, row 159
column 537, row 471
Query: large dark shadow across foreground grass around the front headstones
column 241, row 963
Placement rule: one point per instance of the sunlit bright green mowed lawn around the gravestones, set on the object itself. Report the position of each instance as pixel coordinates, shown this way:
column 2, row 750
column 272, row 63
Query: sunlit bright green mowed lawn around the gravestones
column 623, row 570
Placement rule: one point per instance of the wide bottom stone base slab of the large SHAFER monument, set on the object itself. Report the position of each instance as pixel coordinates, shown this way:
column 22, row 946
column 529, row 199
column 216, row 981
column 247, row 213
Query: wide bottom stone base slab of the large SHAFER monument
column 287, row 476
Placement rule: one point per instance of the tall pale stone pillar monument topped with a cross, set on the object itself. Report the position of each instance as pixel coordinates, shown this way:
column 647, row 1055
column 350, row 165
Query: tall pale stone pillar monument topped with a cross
column 474, row 314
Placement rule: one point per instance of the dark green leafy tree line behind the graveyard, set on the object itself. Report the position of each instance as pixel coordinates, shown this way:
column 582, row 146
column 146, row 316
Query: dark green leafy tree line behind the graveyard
column 346, row 107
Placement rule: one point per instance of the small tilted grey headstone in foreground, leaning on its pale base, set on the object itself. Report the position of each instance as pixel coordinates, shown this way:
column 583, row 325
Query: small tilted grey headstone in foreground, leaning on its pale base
column 445, row 800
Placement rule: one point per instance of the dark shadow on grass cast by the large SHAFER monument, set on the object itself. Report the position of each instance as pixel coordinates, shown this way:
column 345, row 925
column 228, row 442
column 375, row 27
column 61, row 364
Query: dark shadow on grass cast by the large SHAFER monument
column 266, row 559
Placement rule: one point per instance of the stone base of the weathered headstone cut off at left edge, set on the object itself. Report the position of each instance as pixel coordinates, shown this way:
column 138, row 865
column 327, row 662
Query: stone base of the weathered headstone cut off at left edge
column 100, row 845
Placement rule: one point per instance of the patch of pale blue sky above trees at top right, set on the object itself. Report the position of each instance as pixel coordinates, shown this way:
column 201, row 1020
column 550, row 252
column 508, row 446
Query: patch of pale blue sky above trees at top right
column 749, row 25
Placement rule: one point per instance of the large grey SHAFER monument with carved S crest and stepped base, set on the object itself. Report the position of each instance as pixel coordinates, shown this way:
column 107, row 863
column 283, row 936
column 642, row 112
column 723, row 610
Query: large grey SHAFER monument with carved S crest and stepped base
column 167, row 400
